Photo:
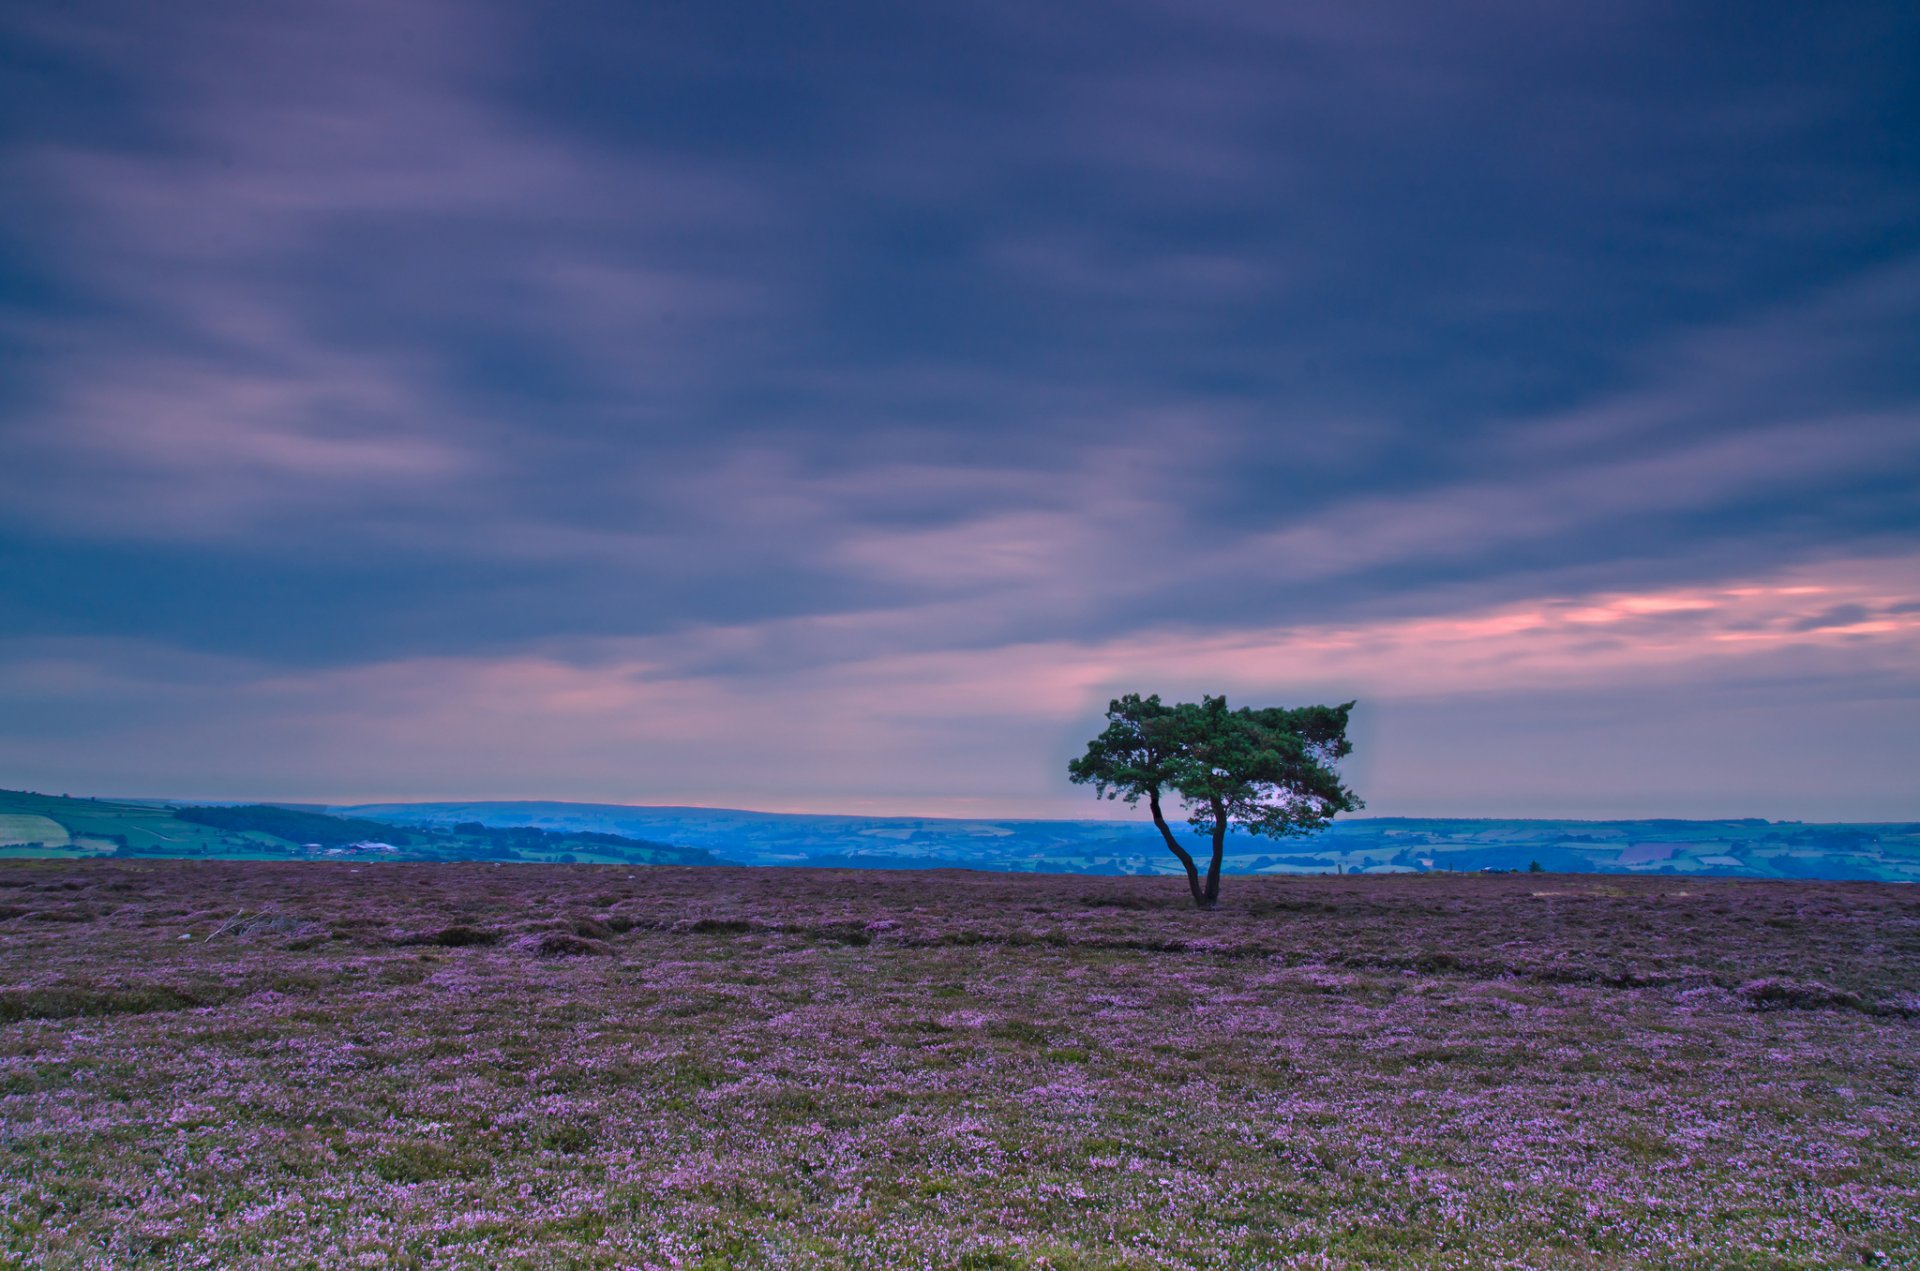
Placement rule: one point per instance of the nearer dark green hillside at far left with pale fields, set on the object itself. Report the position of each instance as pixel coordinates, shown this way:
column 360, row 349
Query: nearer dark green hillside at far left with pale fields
column 60, row 827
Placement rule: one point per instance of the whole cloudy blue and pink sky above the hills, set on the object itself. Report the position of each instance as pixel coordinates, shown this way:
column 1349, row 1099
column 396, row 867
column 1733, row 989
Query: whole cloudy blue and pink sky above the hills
column 830, row 408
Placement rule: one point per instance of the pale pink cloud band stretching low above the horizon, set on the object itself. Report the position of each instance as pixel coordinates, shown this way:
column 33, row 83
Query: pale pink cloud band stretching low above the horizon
column 969, row 731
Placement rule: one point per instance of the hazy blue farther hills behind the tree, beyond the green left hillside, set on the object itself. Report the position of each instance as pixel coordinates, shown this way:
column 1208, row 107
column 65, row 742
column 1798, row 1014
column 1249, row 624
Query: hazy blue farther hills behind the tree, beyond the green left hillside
column 1380, row 844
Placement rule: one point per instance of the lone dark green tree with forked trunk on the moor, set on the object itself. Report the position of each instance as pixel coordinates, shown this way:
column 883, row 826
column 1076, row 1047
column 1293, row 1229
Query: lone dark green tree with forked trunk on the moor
column 1266, row 773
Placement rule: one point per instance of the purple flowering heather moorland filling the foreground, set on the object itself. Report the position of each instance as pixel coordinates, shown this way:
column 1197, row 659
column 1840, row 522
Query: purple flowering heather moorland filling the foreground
column 389, row 1065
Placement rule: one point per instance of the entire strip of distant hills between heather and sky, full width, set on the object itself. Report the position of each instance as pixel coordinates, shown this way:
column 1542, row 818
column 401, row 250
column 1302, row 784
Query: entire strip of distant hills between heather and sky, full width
column 617, row 834
